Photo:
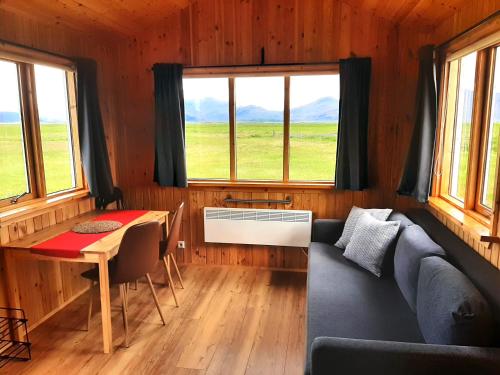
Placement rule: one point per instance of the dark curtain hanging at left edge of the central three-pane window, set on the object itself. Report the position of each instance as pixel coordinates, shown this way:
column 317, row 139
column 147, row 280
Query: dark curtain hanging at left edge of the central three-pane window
column 170, row 159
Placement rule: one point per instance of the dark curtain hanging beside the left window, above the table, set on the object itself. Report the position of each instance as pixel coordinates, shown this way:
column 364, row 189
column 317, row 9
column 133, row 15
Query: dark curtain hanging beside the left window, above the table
column 93, row 148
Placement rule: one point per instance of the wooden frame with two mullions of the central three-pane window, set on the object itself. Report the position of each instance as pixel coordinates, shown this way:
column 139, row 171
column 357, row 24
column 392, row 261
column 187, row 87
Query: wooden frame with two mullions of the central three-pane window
column 285, row 71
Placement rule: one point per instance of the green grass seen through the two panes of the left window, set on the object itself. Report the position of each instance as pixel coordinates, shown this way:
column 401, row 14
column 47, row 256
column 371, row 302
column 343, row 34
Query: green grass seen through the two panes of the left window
column 57, row 159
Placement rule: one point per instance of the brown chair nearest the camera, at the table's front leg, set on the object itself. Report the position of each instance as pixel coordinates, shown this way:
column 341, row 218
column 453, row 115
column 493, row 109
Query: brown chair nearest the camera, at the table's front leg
column 137, row 257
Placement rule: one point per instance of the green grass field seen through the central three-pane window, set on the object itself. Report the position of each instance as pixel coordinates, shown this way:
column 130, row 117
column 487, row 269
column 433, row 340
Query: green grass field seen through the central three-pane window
column 259, row 150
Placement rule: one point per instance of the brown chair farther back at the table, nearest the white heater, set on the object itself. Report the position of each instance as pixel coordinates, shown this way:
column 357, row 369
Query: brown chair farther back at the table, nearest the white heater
column 168, row 247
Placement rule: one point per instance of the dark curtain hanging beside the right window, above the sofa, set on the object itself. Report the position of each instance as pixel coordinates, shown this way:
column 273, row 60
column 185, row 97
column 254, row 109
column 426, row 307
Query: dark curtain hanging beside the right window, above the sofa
column 417, row 175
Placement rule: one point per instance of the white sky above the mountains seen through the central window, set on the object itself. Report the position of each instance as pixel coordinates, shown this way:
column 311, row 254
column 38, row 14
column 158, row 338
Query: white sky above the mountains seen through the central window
column 265, row 92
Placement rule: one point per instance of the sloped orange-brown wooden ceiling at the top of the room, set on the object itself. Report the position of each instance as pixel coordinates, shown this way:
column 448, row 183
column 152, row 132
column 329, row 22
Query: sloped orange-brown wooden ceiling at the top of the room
column 130, row 17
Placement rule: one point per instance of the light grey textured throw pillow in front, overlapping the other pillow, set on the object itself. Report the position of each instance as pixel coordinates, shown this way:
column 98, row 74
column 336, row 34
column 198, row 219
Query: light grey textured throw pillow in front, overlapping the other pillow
column 370, row 241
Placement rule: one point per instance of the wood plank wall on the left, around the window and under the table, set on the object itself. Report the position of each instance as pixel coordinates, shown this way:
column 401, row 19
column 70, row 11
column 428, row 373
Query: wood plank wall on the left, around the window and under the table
column 46, row 286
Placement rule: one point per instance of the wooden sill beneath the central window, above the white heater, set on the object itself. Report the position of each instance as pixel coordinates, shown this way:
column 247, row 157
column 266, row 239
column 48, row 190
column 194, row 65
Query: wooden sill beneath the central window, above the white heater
column 259, row 184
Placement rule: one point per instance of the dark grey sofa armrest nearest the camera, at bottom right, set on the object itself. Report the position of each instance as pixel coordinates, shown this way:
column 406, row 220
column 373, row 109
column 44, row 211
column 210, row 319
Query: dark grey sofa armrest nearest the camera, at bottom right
column 332, row 356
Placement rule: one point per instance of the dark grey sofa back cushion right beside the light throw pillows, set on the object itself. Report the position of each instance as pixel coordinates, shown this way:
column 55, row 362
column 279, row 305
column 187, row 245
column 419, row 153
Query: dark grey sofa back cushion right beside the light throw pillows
column 413, row 245
